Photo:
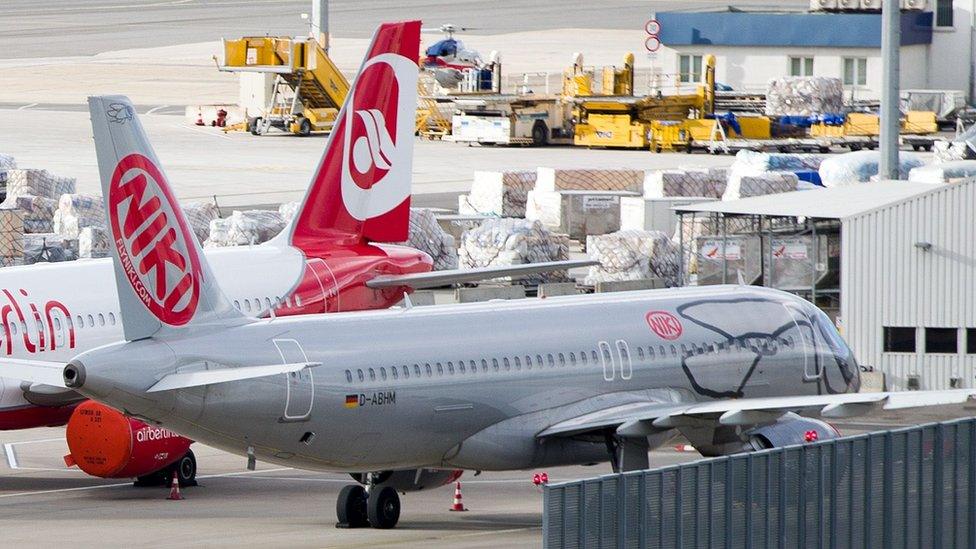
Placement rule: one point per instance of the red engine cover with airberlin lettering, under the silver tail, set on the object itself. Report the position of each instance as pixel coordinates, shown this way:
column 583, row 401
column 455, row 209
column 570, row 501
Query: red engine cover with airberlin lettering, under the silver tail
column 105, row 443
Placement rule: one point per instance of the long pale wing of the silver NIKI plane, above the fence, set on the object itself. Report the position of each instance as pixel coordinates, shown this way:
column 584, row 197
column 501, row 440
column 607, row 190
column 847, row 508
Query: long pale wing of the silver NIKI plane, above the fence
column 642, row 419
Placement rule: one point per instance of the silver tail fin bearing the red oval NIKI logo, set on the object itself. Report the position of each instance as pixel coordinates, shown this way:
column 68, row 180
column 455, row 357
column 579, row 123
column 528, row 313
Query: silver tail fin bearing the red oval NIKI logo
column 163, row 279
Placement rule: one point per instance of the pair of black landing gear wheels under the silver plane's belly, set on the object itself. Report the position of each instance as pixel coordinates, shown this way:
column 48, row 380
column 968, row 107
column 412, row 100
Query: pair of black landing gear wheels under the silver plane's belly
column 372, row 505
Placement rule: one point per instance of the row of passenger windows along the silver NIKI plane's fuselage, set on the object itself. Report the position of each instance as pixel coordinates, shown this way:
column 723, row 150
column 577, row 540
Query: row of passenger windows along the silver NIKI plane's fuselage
column 551, row 360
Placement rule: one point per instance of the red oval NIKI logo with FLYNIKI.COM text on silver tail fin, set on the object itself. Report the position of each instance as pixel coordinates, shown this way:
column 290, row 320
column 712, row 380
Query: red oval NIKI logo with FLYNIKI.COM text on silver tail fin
column 153, row 241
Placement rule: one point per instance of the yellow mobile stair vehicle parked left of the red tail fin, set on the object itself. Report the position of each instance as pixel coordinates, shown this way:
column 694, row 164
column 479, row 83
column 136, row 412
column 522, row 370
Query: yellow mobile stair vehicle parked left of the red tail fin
column 308, row 89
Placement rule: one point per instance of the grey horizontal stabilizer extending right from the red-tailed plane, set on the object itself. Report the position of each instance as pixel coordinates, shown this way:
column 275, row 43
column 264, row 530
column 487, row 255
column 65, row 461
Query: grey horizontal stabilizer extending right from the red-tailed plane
column 435, row 279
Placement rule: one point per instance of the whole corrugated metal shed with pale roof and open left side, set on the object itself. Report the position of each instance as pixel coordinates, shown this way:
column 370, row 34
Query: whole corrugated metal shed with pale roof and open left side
column 895, row 268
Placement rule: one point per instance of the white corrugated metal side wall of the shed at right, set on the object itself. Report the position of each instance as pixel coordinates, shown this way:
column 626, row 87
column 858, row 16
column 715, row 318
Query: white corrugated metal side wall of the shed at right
column 887, row 281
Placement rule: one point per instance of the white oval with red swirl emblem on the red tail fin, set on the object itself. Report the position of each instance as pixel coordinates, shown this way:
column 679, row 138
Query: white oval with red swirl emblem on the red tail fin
column 378, row 127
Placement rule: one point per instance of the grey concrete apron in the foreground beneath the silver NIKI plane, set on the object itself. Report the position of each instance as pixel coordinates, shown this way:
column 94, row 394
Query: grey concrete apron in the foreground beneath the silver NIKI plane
column 43, row 503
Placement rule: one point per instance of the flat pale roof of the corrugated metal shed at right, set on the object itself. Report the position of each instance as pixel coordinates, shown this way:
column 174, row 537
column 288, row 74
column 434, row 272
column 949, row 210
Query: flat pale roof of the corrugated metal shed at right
column 833, row 203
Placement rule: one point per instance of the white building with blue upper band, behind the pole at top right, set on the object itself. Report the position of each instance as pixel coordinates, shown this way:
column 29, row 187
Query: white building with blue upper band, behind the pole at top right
column 753, row 47
